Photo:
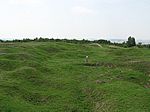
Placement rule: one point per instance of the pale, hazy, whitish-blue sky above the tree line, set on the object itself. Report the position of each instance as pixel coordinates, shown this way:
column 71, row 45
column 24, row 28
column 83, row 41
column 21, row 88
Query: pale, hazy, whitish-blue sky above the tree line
column 89, row 19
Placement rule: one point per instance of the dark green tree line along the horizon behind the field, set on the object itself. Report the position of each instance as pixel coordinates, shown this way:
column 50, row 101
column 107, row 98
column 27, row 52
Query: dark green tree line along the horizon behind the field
column 131, row 42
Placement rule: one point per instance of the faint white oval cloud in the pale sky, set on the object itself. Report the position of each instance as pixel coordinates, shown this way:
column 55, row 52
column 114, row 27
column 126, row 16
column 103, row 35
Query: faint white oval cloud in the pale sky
column 81, row 10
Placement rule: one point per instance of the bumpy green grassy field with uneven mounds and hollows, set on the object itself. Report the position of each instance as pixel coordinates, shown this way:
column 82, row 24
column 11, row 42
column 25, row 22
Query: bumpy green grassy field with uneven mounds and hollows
column 53, row 77
